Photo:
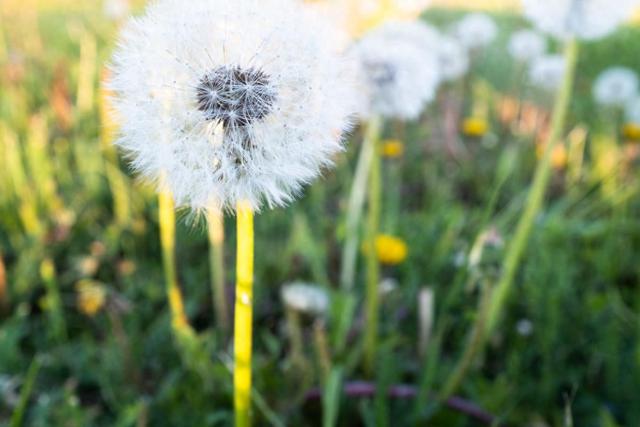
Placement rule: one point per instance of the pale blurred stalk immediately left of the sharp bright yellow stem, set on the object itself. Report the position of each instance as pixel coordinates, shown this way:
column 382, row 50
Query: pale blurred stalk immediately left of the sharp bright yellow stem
column 215, row 220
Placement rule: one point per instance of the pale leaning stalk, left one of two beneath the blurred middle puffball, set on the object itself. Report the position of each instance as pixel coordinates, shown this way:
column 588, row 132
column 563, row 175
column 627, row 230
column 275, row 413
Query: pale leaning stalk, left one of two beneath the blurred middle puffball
column 356, row 203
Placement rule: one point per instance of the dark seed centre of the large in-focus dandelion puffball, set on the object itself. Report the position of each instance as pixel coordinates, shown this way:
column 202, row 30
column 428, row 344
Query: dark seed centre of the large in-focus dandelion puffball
column 235, row 96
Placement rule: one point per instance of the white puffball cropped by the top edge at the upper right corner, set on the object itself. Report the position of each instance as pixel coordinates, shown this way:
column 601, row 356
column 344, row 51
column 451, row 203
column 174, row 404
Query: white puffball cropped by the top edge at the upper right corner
column 584, row 19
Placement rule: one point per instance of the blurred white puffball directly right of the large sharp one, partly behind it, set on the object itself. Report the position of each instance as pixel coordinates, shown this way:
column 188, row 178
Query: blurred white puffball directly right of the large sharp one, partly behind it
column 399, row 78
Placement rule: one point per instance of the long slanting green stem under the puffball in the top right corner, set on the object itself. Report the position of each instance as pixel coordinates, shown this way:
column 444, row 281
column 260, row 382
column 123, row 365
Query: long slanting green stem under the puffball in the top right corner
column 535, row 201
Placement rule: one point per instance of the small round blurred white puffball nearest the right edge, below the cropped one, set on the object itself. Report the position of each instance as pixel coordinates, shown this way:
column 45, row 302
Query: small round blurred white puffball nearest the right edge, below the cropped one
column 615, row 87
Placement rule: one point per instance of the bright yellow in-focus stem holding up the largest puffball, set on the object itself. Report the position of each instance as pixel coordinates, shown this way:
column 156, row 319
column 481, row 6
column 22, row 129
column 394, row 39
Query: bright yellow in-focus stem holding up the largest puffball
column 243, row 316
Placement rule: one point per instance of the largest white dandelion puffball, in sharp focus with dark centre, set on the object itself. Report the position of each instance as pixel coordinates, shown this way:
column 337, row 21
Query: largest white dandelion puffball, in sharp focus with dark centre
column 221, row 102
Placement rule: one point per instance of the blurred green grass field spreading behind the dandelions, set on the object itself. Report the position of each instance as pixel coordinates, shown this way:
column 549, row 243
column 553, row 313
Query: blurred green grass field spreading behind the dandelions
column 85, row 329
